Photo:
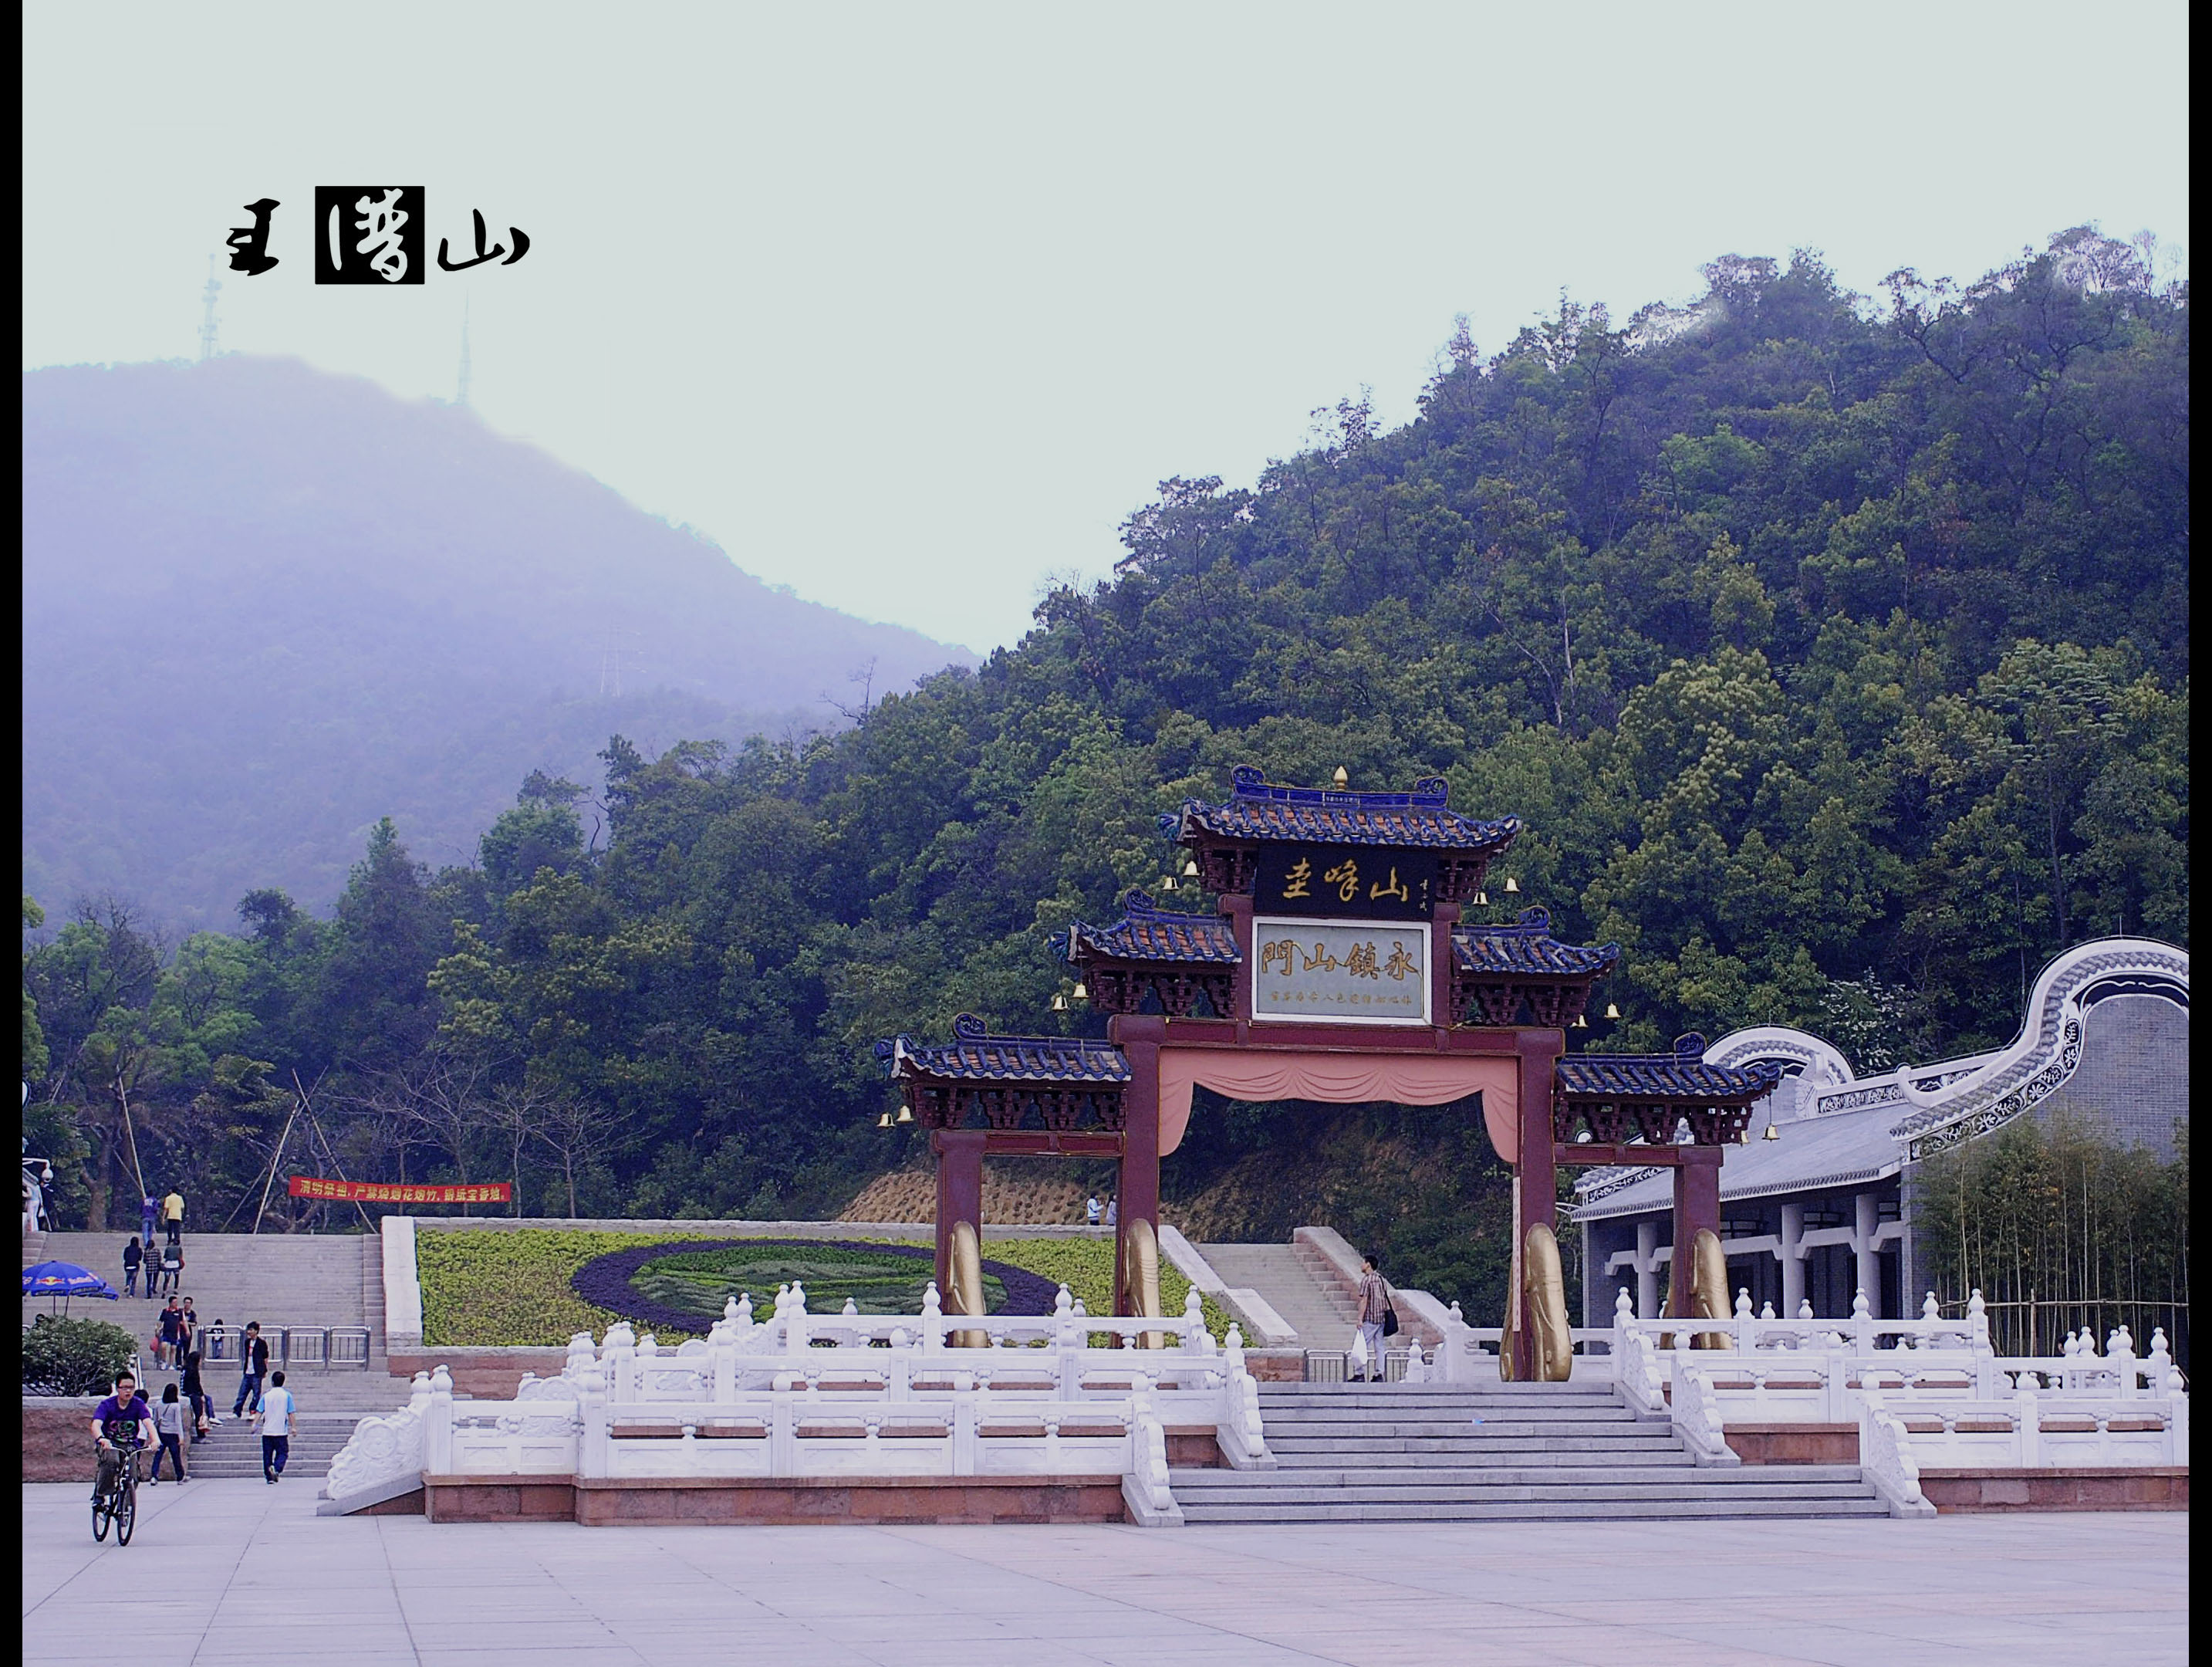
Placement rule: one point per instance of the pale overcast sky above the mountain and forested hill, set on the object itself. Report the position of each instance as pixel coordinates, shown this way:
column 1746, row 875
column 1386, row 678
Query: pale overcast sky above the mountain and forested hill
column 910, row 304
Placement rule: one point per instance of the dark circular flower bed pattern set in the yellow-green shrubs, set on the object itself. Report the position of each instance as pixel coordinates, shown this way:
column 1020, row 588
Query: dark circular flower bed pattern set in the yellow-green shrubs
column 680, row 1285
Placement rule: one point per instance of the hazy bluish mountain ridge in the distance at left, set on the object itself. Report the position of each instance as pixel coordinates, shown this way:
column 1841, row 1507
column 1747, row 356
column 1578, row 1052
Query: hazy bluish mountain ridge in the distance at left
column 267, row 605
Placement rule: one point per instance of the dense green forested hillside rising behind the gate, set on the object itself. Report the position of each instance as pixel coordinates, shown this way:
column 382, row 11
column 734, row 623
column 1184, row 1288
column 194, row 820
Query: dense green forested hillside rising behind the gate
column 1833, row 652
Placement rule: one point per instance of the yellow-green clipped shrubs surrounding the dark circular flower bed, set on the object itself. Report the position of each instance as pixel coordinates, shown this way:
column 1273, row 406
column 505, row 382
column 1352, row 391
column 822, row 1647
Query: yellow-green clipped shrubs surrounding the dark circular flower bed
column 514, row 1290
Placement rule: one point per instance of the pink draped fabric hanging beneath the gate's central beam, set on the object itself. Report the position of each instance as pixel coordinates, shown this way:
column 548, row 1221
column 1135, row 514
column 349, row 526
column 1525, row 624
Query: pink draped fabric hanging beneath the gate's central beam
column 1342, row 1079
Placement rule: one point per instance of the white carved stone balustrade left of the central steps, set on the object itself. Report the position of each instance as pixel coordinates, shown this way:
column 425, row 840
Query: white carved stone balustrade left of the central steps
column 842, row 1396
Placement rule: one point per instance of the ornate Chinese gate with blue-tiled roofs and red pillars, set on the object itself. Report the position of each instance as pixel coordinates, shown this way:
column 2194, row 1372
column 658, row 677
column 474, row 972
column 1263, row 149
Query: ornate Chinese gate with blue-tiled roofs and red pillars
column 1335, row 966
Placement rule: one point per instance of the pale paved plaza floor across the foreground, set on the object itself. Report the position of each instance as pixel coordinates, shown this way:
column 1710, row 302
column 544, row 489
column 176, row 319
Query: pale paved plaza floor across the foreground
column 233, row 1571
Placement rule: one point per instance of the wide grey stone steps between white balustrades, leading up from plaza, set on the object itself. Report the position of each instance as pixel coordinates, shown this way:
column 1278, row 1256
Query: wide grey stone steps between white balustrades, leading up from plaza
column 1492, row 1453
